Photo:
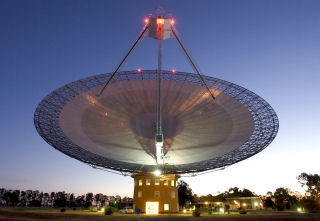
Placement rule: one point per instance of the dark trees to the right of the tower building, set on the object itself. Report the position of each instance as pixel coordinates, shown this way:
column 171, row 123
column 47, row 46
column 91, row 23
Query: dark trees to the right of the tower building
column 281, row 199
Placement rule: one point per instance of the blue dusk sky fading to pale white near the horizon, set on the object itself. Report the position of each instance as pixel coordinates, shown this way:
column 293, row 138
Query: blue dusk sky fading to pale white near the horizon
column 270, row 47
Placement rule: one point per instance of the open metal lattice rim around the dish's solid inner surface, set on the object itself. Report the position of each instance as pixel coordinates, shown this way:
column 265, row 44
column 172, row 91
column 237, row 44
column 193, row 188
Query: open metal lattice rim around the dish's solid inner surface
column 46, row 120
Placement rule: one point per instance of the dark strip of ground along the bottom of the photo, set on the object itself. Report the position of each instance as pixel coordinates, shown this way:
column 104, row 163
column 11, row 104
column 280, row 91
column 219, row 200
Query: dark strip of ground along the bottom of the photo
column 35, row 214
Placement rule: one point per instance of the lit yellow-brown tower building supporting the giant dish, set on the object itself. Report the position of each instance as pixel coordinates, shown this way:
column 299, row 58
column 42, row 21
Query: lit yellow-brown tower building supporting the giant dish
column 156, row 194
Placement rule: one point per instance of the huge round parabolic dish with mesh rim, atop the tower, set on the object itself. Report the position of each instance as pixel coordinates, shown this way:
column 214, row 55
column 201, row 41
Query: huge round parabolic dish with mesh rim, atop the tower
column 117, row 129
